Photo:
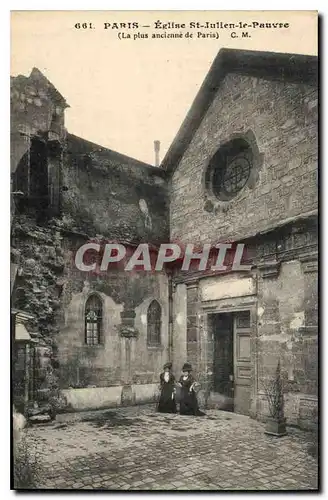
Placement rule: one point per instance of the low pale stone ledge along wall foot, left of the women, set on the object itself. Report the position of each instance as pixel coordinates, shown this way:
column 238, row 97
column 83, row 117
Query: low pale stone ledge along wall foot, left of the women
column 95, row 398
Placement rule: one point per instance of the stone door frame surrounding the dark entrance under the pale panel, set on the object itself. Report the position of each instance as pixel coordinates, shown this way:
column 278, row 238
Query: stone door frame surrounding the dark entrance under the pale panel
column 235, row 305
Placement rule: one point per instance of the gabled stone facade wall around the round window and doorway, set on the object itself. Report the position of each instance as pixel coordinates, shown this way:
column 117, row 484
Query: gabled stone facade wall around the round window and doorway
column 279, row 120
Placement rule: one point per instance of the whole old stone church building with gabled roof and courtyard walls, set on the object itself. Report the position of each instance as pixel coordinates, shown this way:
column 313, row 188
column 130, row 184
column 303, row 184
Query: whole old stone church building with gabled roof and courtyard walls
column 242, row 168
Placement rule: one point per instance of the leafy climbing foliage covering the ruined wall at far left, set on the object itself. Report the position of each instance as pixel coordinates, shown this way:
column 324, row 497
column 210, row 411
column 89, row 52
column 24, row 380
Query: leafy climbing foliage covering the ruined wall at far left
column 38, row 286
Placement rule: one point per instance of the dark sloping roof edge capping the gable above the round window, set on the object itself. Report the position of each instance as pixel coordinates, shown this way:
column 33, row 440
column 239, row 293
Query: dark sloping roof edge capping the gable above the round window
column 271, row 65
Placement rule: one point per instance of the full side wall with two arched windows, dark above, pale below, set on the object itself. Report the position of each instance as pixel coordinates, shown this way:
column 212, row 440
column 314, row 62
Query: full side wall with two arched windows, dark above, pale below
column 112, row 197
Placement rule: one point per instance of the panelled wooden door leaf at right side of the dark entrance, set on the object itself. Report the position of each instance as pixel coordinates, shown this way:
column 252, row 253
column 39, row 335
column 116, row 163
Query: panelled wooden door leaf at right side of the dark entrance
column 242, row 362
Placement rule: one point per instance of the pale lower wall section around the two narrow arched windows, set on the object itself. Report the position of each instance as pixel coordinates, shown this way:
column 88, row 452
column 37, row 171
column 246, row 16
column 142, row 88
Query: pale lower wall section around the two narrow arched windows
column 118, row 360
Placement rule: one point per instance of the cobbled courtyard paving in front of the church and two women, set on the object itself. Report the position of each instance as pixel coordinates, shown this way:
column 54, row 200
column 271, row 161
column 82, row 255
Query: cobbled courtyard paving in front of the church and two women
column 137, row 449
